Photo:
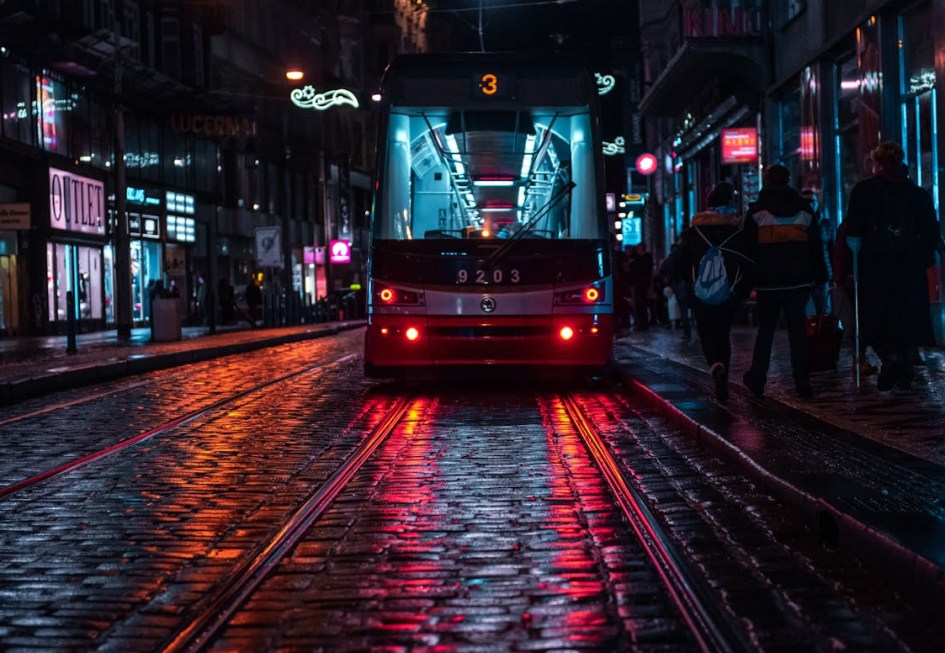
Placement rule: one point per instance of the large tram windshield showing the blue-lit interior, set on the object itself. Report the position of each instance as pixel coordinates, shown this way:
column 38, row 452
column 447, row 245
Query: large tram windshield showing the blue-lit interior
column 475, row 173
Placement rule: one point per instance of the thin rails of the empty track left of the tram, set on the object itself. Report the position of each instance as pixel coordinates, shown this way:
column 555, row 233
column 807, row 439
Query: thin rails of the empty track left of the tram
column 163, row 428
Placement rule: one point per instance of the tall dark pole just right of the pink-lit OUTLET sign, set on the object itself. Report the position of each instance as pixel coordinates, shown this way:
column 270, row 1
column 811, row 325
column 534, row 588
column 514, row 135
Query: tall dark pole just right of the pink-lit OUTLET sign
column 122, row 241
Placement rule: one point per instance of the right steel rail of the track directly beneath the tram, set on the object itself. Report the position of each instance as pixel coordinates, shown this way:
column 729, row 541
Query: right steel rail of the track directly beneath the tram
column 711, row 627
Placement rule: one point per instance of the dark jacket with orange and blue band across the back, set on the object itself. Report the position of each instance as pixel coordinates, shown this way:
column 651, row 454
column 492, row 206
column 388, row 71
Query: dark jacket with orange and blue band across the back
column 784, row 240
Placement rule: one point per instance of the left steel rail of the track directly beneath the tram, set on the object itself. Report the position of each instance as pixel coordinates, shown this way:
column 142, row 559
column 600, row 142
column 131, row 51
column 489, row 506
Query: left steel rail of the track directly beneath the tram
column 222, row 605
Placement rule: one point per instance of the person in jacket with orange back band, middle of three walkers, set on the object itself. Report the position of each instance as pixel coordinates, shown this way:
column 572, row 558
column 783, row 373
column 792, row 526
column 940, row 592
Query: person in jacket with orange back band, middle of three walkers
column 784, row 240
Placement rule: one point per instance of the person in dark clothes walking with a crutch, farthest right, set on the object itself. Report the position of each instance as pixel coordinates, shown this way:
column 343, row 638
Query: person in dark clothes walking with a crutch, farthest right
column 898, row 231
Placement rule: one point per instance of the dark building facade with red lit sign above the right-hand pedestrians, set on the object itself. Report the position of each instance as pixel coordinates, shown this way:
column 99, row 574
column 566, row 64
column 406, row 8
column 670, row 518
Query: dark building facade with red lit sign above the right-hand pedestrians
column 817, row 84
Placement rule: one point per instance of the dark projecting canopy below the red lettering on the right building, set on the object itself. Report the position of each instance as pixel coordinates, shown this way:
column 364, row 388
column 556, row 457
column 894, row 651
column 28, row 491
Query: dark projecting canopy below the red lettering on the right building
column 735, row 66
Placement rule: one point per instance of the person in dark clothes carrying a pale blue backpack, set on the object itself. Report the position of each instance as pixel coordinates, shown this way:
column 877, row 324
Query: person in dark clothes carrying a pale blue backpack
column 711, row 257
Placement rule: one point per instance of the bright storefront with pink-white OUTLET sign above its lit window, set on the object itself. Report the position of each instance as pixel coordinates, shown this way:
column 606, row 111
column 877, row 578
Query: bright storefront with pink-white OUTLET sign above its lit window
column 75, row 261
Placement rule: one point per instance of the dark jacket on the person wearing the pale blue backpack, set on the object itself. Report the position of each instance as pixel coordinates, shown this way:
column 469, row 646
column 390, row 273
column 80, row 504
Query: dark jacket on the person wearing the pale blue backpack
column 716, row 227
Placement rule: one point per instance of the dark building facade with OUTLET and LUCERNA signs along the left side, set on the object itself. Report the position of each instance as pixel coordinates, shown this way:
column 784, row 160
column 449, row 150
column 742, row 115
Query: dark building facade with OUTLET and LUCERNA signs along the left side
column 217, row 164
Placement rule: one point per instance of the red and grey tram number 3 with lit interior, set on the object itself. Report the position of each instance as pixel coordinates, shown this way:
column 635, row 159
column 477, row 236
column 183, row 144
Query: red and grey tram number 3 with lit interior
column 489, row 234
